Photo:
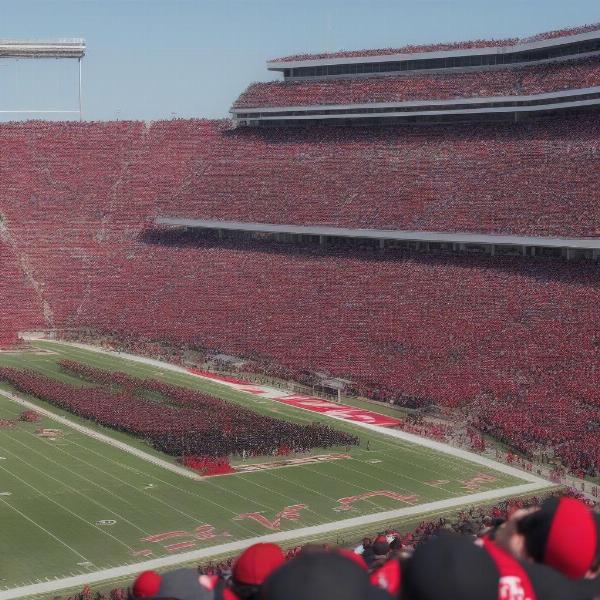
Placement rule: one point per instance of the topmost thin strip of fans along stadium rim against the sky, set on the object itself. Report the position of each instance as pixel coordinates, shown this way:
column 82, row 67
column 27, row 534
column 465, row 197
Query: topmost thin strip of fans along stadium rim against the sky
column 413, row 49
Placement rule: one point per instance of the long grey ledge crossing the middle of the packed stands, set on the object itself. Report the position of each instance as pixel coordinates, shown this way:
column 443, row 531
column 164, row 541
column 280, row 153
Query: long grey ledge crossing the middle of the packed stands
column 385, row 234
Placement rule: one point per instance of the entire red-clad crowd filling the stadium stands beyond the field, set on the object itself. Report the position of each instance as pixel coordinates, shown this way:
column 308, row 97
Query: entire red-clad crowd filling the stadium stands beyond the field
column 495, row 335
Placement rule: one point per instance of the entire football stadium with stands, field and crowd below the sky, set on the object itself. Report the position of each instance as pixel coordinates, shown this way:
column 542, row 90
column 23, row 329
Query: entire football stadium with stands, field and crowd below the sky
column 357, row 318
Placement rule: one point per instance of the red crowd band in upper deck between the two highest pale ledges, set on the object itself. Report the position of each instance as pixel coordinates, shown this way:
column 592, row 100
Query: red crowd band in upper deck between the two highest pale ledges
column 511, row 81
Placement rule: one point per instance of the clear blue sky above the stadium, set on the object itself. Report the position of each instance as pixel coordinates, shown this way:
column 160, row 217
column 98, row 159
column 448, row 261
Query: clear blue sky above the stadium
column 153, row 59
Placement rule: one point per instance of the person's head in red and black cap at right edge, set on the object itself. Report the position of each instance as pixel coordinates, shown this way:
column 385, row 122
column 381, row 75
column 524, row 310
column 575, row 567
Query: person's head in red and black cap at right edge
column 562, row 533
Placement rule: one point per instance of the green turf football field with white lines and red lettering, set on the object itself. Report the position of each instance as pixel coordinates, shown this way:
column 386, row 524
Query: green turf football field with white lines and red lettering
column 73, row 505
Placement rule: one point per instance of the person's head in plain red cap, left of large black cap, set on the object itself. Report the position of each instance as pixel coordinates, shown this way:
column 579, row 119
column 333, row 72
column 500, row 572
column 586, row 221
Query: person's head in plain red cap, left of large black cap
column 252, row 567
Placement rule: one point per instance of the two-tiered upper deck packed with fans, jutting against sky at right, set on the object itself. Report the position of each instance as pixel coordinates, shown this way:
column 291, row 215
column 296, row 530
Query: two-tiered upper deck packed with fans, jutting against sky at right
column 497, row 80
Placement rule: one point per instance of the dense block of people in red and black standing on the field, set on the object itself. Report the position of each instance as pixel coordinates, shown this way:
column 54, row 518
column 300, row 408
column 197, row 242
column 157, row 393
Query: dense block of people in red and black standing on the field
column 188, row 424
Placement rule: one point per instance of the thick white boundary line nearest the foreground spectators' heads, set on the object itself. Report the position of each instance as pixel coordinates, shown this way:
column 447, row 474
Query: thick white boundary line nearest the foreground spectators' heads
column 283, row 536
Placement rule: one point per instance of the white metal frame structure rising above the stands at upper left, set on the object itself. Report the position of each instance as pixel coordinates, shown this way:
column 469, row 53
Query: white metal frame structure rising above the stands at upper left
column 61, row 48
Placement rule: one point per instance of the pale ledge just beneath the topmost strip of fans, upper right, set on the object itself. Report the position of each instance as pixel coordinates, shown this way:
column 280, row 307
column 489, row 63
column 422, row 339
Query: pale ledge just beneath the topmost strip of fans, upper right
column 283, row 64
